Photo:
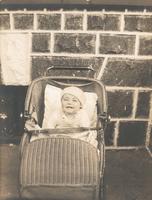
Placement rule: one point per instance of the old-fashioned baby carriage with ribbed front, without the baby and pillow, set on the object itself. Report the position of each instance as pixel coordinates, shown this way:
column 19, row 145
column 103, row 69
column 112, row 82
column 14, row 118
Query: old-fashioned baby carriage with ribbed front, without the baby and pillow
column 62, row 168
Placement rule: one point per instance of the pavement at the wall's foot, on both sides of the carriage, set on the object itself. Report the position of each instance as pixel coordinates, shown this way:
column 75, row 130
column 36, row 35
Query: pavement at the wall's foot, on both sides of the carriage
column 128, row 174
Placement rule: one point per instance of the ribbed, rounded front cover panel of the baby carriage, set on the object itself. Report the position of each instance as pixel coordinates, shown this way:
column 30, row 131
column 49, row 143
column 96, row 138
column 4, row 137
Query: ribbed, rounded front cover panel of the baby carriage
column 59, row 161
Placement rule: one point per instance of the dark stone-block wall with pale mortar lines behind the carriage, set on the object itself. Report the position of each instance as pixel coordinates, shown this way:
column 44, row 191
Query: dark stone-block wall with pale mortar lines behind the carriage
column 118, row 45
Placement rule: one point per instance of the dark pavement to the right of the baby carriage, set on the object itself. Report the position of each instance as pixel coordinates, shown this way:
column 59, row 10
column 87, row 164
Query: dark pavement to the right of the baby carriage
column 128, row 175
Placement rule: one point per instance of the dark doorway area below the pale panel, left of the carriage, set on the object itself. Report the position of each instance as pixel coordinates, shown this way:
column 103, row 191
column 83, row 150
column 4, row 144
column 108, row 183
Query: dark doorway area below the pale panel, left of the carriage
column 11, row 113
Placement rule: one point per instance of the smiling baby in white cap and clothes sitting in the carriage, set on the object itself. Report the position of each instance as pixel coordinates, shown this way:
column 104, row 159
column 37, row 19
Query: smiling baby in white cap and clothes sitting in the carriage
column 71, row 113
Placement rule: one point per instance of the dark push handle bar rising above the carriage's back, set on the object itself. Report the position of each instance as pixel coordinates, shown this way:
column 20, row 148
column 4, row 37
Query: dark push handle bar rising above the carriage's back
column 70, row 68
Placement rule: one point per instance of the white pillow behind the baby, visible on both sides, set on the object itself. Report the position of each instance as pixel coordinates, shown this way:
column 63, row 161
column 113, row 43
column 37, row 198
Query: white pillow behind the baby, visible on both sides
column 52, row 103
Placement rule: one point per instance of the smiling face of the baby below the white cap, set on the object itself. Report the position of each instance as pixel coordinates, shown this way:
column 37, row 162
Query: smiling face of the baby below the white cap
column 70, row 104
